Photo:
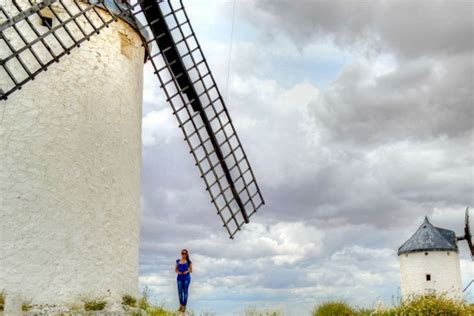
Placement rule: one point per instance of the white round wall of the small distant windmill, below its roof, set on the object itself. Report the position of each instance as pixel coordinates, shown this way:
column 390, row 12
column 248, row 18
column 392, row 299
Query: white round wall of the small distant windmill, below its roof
column 444, row 268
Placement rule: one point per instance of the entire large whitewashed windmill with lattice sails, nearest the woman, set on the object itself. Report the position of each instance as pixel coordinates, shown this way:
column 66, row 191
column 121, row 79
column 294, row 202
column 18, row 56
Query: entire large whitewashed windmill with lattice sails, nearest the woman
column 70, row 140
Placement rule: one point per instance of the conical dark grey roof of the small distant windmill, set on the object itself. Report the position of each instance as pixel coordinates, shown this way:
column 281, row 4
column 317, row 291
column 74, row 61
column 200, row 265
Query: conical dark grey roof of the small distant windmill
column 429, row 238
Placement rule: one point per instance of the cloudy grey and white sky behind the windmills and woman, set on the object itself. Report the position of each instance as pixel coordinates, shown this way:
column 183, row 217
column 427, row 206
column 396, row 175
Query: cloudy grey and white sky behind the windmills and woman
column 357, row 117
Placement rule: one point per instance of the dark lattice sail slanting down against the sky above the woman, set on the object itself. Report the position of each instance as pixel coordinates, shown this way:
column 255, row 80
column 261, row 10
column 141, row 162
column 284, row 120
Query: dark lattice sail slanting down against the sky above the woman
column 191, row 90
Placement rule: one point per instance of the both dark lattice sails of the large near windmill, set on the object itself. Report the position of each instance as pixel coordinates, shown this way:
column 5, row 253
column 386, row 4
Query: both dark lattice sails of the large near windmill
column 181, row 69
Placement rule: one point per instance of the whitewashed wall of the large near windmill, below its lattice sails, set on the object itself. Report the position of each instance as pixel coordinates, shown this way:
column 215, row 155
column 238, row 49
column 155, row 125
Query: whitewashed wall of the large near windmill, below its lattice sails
column 70, row 159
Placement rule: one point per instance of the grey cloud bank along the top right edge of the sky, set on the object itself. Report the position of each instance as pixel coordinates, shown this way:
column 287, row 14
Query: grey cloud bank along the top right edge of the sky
column 410, row 28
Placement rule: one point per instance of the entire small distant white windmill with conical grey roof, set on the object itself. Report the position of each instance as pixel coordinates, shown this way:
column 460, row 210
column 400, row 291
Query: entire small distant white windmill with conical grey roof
column 429, row 261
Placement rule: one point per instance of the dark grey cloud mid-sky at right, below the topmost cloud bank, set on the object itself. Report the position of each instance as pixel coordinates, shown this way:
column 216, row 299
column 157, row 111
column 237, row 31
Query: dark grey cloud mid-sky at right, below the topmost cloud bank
column 418, row 100
